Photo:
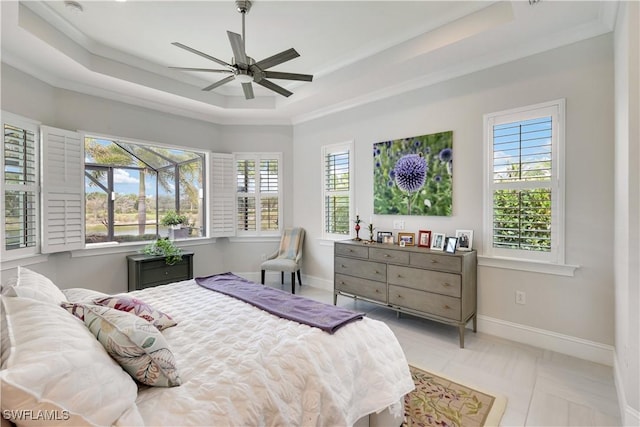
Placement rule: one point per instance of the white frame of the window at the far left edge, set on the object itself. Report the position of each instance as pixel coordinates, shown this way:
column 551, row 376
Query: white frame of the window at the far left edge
column 34, row 127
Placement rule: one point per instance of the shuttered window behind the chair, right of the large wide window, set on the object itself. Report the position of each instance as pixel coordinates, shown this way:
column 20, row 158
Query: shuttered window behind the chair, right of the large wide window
column 258, row 193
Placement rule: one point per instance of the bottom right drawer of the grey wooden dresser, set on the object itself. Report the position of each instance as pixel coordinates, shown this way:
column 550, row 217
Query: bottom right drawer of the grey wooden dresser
column 438, row 305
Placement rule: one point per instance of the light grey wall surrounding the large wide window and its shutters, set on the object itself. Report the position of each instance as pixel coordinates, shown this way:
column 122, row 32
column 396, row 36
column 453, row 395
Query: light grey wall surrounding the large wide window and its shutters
column 29, row 97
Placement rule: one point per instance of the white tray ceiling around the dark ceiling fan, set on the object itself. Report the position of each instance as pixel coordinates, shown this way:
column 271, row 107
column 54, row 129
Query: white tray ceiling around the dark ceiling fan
column 358, row 51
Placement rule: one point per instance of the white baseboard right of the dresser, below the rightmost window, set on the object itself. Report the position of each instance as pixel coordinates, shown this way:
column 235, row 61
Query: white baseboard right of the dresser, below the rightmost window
column 548, row 340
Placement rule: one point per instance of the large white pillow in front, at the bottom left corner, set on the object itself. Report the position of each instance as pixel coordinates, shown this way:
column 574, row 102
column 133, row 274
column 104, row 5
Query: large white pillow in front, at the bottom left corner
column 57, row 367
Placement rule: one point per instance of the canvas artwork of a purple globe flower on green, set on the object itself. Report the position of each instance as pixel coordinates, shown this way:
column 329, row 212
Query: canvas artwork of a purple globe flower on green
column 414, row 176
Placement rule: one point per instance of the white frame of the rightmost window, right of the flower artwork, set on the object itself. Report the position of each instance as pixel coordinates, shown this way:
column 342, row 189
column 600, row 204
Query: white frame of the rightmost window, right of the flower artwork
column 555, row 109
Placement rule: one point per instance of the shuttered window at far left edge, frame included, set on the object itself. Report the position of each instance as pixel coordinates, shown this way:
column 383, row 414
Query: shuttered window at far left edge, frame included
column 20, row 189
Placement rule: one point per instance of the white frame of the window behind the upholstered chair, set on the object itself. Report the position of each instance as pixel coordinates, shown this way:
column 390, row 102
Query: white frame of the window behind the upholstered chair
column 258, row 157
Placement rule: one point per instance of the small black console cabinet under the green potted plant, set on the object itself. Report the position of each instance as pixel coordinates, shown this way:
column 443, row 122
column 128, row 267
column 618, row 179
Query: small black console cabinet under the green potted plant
column 146, row 271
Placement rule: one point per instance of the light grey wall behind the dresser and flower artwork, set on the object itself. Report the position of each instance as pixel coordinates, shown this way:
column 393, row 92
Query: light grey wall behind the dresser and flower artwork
column 579, row 307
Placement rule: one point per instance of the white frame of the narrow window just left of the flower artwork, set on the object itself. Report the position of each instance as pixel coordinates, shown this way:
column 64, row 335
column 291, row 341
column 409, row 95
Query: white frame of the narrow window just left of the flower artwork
column 327, row 150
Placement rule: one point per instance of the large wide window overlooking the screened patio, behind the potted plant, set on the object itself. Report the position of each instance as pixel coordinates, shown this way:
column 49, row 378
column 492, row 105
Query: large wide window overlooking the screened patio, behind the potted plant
column 130, row 187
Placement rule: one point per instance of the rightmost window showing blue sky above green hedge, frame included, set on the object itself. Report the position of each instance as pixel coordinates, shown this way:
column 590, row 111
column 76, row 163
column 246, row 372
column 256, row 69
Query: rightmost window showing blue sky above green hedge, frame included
column 524, row 183
